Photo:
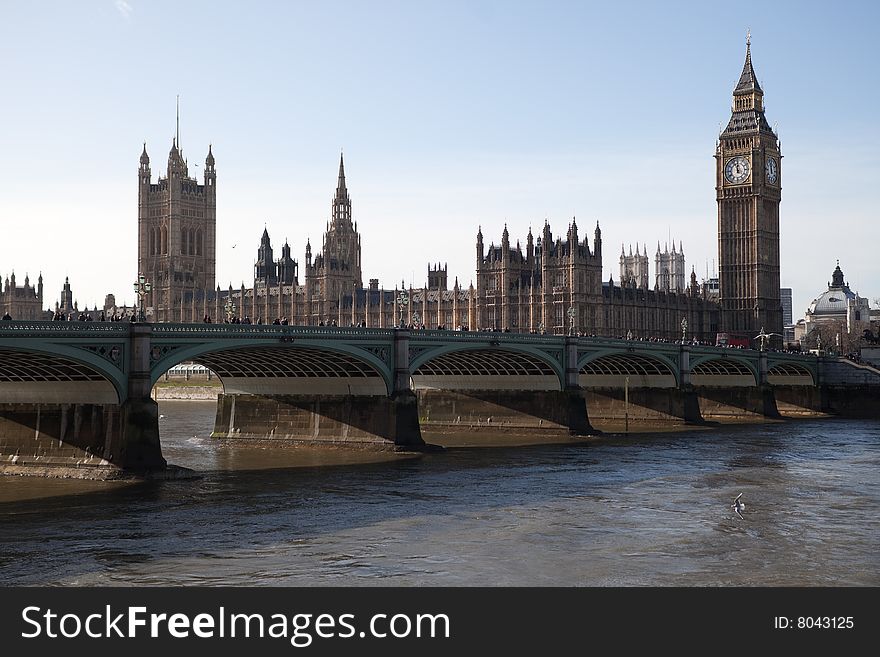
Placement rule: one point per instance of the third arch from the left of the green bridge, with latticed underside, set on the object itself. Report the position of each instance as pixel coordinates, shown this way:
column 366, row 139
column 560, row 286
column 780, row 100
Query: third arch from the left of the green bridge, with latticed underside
column 480, row 366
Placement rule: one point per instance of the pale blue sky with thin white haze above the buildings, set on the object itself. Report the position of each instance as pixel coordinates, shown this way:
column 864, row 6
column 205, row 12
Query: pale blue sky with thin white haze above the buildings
column 451, row 115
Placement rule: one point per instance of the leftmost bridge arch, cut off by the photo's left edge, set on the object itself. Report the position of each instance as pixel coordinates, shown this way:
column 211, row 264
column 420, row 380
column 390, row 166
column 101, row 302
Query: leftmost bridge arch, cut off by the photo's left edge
column 64, row 374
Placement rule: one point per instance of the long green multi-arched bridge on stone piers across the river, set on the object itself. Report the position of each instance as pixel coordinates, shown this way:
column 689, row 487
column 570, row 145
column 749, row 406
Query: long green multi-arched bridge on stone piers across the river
column 80, row 393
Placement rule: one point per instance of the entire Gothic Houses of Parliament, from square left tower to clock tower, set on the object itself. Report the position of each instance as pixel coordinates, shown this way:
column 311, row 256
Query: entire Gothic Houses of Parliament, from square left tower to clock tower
column 551, row 284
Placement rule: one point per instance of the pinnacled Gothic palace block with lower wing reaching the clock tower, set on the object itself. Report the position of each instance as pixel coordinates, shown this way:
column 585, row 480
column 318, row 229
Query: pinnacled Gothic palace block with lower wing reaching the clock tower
column 555, row 286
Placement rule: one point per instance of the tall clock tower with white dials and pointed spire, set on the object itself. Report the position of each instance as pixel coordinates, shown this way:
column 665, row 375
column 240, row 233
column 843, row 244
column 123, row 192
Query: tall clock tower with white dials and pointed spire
column 748, row 190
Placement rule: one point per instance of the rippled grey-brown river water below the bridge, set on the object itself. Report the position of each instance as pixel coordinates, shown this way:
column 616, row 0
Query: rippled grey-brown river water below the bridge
column 650, row 509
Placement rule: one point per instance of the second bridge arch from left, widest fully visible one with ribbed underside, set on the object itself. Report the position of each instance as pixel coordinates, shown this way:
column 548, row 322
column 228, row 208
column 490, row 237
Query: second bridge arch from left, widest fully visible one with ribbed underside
column 301, row 367
